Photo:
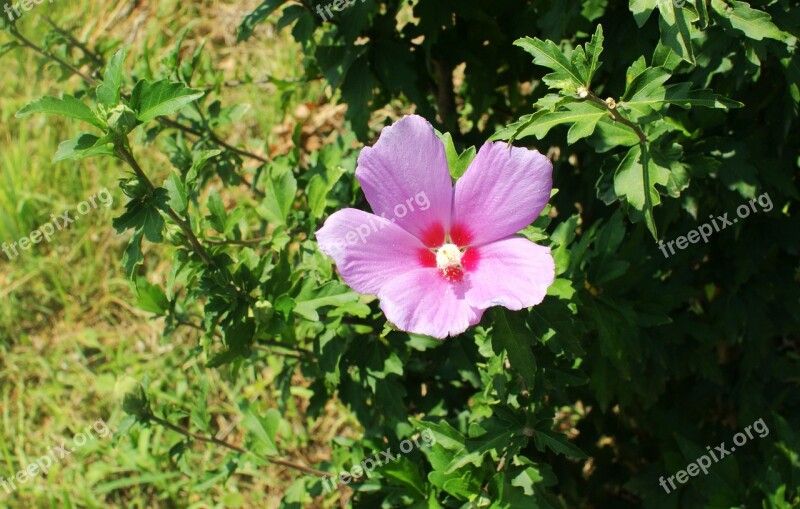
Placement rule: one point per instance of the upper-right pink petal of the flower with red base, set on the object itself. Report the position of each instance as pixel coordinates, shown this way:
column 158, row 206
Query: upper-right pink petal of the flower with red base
column 502, row 192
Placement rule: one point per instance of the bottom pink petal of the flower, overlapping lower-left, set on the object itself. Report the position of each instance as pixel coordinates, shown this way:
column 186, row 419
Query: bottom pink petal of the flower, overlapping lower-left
column 422, row 302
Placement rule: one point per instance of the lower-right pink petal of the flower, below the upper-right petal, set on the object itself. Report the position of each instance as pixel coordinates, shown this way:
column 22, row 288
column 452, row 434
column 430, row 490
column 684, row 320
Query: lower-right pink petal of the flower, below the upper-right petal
column 514, row 273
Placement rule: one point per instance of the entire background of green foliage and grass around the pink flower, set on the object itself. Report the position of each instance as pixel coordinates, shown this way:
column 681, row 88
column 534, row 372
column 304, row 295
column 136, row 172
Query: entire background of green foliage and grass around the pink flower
column 228, row 133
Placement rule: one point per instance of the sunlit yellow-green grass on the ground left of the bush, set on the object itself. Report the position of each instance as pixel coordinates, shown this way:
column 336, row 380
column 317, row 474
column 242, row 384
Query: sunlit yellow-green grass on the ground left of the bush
column 68, row 329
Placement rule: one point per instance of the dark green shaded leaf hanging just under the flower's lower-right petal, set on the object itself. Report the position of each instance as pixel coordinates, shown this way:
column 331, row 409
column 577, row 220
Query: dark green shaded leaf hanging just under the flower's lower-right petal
column 512, row 335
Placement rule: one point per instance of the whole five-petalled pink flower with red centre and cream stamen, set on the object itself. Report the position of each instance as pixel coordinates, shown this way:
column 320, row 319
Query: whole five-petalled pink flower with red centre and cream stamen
column 437, row 269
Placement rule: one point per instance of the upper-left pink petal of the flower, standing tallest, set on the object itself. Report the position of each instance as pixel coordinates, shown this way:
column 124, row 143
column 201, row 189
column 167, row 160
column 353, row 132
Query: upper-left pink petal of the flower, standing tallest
column 406, row 179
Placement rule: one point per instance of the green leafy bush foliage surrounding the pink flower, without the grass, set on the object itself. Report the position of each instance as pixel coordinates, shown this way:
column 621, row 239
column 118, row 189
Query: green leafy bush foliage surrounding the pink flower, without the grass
column 656, row 114
